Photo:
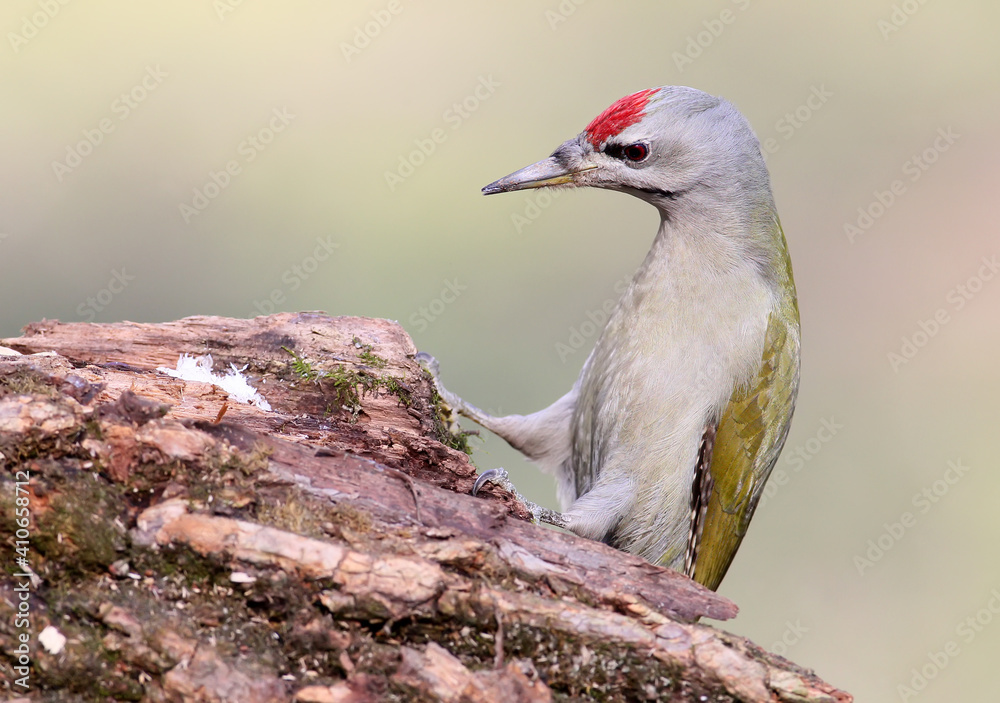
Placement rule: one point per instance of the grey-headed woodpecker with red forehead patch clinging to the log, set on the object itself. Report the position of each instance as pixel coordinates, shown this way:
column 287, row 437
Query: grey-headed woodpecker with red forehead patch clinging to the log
column 663, row 445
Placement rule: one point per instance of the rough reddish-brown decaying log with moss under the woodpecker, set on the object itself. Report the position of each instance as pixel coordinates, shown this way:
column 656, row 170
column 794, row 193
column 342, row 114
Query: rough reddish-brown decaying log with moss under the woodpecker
column 191, row 547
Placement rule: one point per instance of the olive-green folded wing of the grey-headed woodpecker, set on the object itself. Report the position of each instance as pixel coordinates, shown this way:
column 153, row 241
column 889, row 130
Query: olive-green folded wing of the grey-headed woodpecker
column 748, row 438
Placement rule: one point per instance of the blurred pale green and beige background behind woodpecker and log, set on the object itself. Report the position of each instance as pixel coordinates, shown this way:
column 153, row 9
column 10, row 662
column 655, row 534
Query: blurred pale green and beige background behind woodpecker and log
column 120, row 120
